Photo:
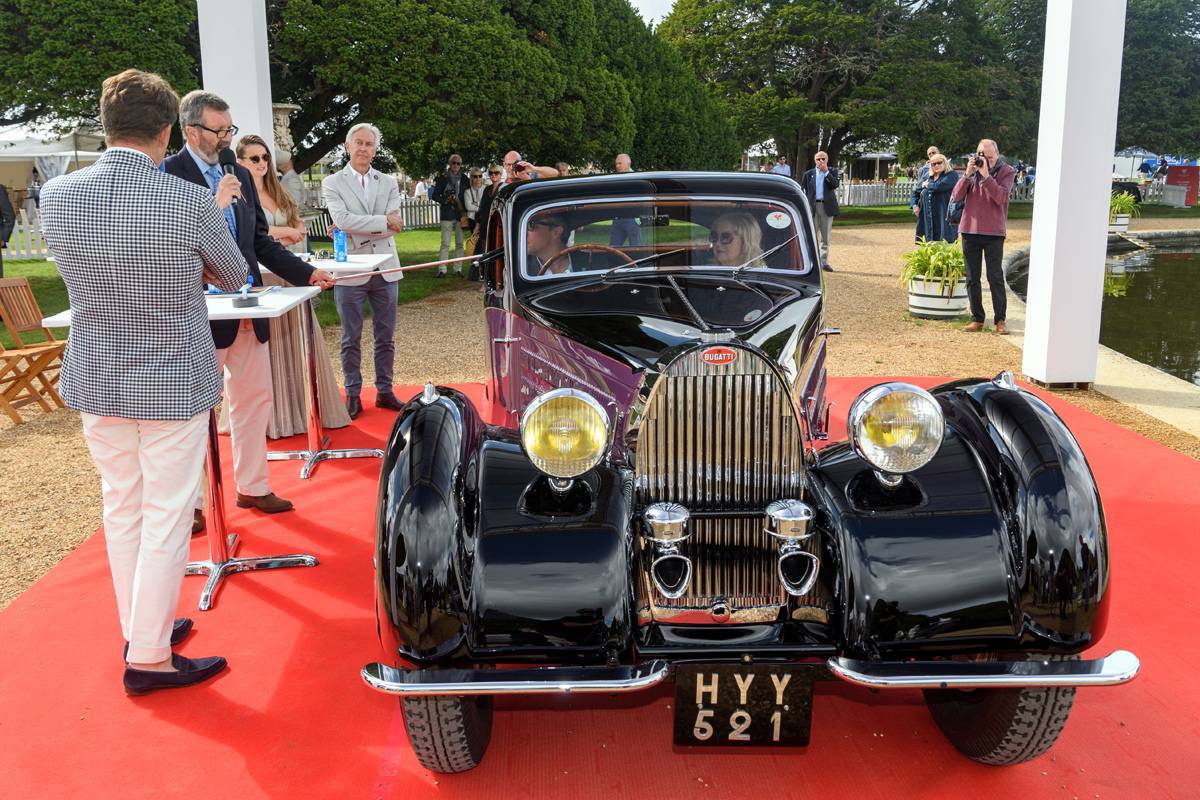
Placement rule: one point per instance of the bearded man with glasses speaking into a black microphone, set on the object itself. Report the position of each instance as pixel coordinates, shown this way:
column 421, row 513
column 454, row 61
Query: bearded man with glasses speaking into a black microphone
column 242, row 345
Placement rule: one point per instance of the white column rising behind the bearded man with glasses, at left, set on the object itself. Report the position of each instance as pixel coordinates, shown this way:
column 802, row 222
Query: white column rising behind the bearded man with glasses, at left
column 233, row 58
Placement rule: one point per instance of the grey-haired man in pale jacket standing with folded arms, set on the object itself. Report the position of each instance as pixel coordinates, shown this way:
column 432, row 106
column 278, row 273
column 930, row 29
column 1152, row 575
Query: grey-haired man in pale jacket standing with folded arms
column 365, row 204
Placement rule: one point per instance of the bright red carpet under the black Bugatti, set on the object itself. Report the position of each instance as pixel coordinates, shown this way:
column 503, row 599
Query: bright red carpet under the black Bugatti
column 292, row 719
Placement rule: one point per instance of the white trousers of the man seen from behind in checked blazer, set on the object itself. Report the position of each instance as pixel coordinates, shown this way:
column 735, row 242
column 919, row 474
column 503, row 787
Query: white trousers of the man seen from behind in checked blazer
column 151, row 476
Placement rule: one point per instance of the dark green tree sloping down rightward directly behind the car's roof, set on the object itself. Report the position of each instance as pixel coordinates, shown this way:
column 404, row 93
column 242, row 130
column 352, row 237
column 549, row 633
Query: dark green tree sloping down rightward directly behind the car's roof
column 677, row 123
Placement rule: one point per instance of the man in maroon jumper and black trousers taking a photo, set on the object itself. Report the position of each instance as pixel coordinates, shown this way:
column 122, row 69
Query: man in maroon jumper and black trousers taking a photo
column 985, row 193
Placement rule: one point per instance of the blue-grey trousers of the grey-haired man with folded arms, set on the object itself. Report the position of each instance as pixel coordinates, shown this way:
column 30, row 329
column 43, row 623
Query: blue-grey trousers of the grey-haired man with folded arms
column 382, row 297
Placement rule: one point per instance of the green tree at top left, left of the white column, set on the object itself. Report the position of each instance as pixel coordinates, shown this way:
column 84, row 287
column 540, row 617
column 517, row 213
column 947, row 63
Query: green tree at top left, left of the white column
column 55, row 56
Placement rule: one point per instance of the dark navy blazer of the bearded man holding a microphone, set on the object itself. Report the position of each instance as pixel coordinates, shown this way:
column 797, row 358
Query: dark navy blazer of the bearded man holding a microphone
column 254, row 240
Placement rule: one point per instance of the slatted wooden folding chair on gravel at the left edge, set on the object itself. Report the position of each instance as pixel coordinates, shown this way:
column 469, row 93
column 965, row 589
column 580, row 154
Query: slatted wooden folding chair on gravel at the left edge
column 33, row 365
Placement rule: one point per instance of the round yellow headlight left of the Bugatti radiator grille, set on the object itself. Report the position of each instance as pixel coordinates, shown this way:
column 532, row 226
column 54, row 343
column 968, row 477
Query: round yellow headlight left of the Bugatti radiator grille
column 565, row 432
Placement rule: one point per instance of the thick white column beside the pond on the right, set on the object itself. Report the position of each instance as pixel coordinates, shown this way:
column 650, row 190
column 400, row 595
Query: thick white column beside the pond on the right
column 1081, row 85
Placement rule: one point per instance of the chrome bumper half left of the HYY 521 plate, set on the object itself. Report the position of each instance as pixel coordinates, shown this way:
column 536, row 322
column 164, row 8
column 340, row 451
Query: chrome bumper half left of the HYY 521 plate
column 514, row 682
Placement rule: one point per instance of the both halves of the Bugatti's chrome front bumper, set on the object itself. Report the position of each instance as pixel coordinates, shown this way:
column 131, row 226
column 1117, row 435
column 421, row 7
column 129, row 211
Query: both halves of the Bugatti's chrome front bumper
column 1119, row 669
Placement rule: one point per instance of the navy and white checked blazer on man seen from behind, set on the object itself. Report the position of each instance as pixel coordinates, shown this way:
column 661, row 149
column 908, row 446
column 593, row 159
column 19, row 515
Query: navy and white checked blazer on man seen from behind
column 131, row 244
